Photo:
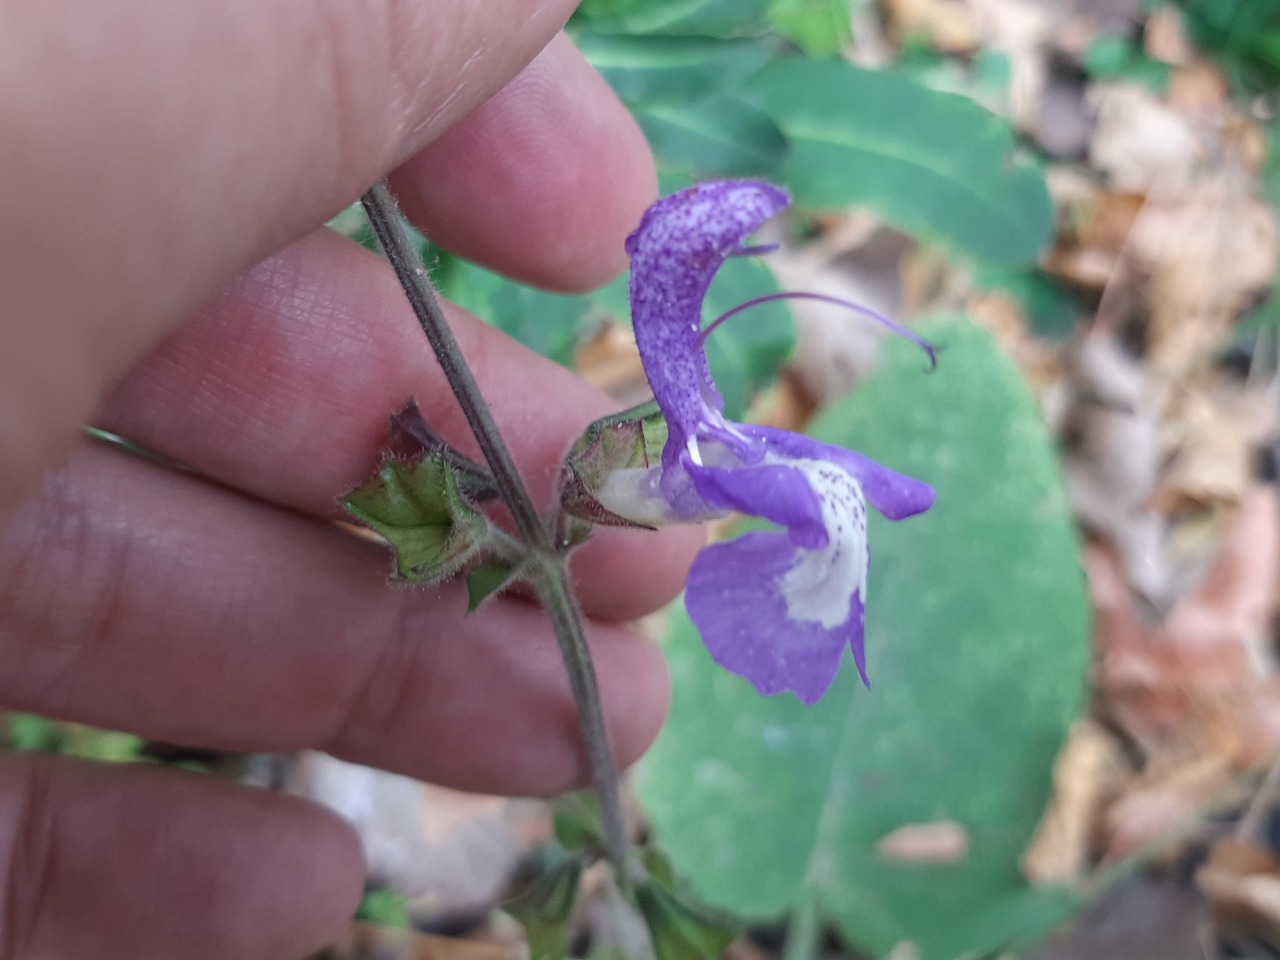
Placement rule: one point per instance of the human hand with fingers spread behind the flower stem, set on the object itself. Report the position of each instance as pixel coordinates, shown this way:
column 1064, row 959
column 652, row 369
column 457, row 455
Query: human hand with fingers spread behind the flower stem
column 154, row 152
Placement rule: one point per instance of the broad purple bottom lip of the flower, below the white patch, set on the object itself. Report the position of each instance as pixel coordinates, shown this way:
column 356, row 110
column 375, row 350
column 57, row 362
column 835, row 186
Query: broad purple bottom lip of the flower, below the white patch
column 737, row 600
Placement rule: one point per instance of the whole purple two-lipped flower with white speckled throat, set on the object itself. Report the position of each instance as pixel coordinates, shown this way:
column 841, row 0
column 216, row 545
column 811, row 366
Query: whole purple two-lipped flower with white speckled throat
column 775, row 607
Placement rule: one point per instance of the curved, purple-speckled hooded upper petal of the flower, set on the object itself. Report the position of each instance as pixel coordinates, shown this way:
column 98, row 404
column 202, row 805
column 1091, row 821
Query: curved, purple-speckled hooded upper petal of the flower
column 675, row 253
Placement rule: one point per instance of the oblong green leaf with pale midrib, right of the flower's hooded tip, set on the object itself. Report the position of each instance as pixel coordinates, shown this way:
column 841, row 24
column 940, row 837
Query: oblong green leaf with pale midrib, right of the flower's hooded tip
column 935, row 164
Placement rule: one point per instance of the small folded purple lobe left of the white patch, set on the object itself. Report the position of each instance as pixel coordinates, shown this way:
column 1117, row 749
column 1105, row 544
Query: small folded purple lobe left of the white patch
column 778, row 493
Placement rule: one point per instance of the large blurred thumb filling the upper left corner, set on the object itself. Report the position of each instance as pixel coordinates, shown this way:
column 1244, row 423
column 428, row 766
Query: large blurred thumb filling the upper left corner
column 156, row 149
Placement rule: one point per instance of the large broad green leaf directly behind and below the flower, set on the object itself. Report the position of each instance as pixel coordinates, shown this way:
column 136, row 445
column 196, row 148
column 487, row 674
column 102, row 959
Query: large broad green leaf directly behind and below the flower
column 979, row 644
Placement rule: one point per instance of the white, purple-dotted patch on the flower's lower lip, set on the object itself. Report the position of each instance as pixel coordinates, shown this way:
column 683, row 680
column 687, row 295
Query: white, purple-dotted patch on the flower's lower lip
column 821, row 586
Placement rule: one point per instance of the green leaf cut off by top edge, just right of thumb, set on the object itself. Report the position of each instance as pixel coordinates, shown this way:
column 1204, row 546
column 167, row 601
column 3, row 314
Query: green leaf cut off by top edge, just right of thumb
column 712, row 19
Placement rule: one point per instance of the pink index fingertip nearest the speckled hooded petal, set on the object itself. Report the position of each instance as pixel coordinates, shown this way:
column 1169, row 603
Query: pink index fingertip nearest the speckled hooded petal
column 543, row 182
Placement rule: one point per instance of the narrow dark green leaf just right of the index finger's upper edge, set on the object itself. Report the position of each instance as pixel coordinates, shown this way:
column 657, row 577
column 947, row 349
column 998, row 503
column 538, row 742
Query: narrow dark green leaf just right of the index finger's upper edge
column 675, row 71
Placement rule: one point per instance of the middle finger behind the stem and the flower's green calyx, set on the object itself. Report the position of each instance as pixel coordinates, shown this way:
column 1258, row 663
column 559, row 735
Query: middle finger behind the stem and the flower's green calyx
column 284, row 385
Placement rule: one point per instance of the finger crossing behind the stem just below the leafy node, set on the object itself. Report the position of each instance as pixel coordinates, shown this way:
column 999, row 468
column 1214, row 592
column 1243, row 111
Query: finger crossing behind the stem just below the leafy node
column 141, row 600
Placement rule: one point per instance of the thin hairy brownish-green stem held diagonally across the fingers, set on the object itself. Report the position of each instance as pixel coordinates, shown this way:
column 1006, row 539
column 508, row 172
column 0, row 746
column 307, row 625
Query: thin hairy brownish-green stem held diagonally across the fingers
column 548, row 569
